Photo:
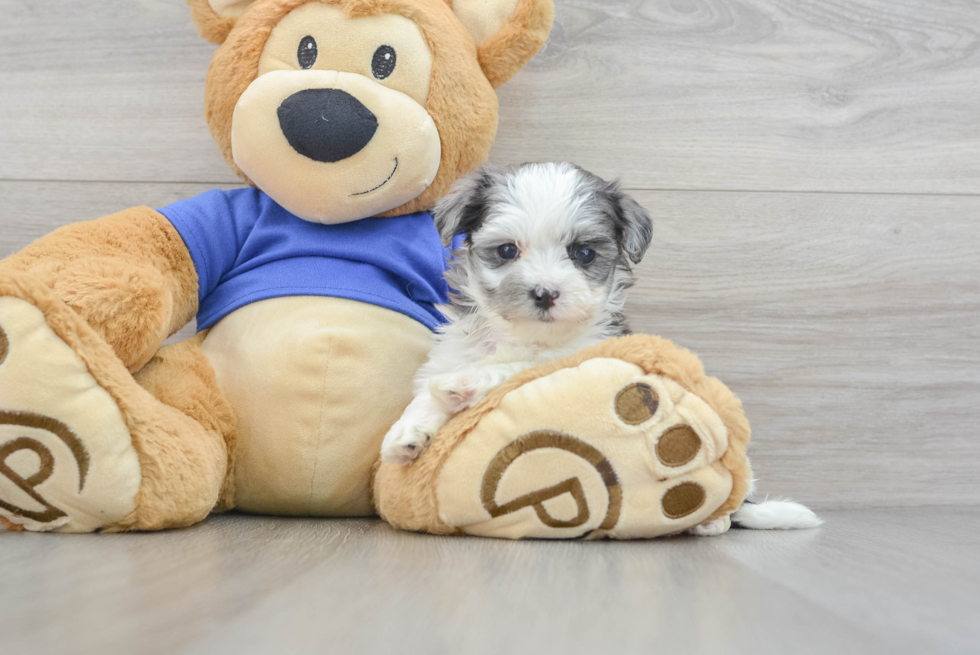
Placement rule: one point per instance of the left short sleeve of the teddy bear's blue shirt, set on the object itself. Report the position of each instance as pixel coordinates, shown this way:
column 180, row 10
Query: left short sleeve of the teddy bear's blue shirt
column 214, row 227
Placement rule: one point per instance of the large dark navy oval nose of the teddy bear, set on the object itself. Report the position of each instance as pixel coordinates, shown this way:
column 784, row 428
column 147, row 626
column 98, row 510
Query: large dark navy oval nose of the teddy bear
column 326, row 125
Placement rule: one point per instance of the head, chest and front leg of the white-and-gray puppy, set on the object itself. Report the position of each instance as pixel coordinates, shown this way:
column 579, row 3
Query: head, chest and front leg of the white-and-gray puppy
column 542, row 273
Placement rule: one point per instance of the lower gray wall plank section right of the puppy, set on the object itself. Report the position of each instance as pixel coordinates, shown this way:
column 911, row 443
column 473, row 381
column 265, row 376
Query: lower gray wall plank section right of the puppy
column 848, row 325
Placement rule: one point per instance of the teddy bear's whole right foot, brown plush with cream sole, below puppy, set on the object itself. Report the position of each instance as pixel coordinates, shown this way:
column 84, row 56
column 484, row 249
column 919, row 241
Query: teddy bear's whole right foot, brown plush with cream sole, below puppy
column 557, row 452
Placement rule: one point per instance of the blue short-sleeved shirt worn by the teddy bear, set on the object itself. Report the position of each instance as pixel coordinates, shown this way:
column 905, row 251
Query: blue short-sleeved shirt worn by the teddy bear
column 247, row 248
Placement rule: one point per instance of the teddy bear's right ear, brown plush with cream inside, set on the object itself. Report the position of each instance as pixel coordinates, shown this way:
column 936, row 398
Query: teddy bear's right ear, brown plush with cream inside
column 507, row 32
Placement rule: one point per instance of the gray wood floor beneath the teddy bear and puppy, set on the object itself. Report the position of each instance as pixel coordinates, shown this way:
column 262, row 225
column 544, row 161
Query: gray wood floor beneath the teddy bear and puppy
column 240, row 584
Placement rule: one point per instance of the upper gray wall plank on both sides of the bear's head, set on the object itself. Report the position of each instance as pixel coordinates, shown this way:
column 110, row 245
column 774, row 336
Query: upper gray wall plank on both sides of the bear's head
column 852, row 95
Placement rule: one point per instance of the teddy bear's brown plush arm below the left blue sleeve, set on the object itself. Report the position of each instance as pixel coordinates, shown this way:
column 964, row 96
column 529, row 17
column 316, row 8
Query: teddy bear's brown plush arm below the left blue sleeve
column 128, row 275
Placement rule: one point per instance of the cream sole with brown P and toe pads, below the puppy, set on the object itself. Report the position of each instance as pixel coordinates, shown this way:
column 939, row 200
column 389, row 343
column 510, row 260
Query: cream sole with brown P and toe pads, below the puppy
column 630, row 455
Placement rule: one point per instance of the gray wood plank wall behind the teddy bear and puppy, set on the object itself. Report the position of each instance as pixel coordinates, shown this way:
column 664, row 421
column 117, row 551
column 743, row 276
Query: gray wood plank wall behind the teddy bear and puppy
column 813, row 168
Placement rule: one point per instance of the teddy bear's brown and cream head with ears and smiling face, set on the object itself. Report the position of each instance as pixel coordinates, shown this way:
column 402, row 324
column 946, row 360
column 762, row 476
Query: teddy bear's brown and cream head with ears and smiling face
column 345, row 109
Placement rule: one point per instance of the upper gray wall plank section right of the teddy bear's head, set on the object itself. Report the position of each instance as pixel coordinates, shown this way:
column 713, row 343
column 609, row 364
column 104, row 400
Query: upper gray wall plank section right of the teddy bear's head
column 850, row 95
